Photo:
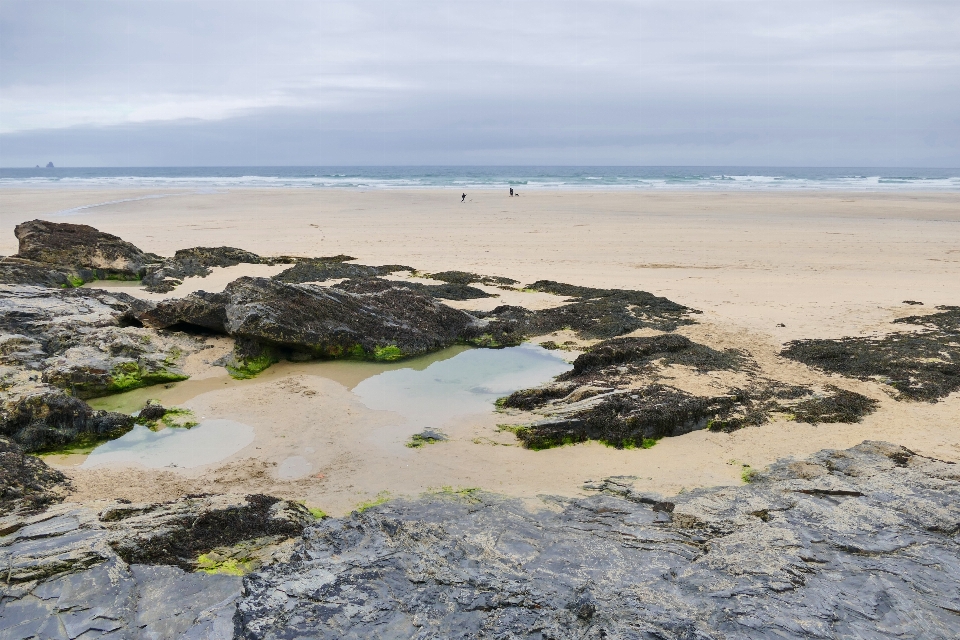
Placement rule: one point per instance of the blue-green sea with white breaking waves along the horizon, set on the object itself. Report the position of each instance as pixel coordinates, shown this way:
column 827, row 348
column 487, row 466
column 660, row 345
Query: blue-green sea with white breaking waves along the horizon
column 520, row 178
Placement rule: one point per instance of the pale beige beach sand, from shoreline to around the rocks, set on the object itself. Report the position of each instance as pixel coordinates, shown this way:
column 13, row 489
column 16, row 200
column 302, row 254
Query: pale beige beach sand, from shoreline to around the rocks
column 823, row 264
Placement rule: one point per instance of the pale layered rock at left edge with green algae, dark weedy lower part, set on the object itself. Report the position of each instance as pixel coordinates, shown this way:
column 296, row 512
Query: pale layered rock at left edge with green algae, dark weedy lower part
column 60, row 346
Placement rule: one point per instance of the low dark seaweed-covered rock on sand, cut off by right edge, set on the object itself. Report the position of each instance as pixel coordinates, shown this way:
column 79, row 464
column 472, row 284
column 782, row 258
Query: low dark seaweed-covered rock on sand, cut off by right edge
column 919, row 365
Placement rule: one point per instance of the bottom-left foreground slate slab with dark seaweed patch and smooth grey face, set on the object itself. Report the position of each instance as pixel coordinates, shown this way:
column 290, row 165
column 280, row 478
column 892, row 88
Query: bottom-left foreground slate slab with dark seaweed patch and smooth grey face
column 127, row 570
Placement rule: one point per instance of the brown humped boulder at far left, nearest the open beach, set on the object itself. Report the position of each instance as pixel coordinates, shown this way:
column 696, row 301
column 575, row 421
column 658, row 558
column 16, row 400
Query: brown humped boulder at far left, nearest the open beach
column 79, row 245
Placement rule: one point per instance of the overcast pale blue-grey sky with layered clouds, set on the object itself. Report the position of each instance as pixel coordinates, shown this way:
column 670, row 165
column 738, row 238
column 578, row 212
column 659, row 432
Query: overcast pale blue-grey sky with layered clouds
column 385, row 82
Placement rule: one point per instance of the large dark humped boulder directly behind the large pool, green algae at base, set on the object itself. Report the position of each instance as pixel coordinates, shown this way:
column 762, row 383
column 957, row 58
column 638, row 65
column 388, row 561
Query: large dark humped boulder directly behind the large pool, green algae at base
column 312, row 321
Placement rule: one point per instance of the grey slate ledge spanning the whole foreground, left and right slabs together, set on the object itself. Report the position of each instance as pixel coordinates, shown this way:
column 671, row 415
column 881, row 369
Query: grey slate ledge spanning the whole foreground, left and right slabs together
column 860, row 543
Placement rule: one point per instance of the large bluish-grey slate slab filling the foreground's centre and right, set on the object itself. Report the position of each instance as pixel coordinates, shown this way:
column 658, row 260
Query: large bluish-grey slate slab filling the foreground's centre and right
column 856, row 543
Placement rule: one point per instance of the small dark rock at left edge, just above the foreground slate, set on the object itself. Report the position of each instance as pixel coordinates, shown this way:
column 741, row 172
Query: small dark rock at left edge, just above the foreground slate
column 27, row 484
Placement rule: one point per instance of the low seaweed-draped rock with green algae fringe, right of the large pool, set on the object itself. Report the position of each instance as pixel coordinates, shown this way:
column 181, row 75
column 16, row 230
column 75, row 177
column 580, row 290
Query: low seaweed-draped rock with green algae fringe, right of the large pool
column 614, row 394
